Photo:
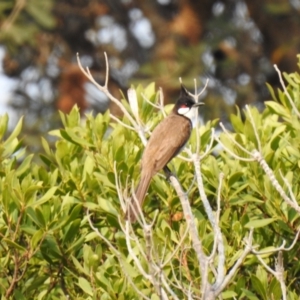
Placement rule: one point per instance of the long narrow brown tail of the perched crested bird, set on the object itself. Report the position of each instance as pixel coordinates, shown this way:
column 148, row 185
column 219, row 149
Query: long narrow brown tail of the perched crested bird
column 135, row 205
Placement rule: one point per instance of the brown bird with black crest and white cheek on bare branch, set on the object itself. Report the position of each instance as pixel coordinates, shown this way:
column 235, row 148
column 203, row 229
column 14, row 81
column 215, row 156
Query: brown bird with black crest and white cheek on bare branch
column 166, row 141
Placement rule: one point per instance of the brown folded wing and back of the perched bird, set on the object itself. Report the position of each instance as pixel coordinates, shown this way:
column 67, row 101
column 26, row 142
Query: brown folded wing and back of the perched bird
column 165, row 142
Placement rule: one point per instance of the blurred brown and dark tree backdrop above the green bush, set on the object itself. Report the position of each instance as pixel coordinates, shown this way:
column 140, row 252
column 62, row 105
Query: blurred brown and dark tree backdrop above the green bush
column 234, row 43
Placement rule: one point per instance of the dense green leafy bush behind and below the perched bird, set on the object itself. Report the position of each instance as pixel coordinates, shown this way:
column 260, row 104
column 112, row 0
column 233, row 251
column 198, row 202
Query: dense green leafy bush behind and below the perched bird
column 62, row 226
